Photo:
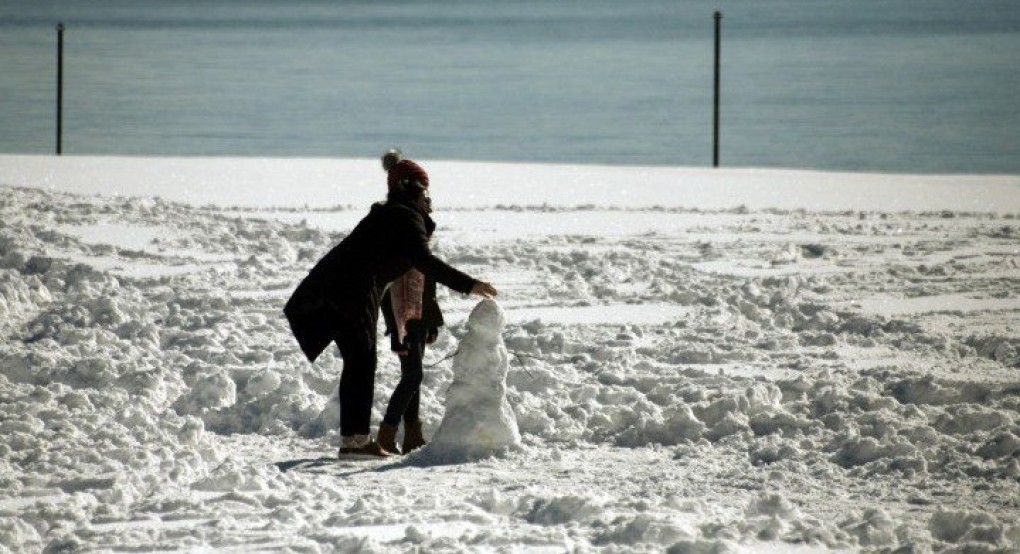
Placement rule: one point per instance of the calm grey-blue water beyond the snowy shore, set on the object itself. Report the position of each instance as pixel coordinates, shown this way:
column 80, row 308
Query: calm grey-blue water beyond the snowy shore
column 930, row 86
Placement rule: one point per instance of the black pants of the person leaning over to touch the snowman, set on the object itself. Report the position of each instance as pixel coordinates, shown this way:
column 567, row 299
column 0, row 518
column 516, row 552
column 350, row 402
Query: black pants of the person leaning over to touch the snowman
column 358, row 383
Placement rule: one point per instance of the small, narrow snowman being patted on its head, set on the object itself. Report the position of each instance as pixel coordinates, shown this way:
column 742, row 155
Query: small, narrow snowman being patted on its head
column 479, row 421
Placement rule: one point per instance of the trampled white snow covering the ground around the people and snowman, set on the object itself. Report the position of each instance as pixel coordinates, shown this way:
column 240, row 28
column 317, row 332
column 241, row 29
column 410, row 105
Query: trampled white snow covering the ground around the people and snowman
column 699, row 362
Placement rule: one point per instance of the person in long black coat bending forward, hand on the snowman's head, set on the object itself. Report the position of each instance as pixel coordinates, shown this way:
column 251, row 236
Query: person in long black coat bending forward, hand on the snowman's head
column 339, row 300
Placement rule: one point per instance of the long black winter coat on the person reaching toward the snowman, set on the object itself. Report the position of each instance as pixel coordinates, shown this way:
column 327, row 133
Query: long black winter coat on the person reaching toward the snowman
column 343, row 291
